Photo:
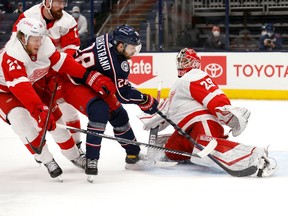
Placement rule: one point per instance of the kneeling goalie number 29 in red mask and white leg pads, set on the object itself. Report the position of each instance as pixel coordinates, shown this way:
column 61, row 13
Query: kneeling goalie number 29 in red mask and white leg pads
column 200, row 108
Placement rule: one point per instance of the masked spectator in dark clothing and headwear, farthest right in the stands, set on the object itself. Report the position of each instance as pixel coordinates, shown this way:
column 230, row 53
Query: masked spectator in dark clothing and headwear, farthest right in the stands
column 270, row 41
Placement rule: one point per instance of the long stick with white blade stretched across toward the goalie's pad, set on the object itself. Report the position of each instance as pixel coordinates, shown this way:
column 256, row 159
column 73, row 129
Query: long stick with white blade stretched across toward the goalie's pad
column 206, row 150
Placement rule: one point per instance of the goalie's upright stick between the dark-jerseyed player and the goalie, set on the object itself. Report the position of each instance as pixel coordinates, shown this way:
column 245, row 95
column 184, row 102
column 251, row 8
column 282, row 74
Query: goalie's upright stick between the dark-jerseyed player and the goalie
column 153, row 132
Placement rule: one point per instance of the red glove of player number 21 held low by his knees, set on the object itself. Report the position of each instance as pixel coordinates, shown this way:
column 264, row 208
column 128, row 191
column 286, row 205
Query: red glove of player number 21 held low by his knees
column 40, row 113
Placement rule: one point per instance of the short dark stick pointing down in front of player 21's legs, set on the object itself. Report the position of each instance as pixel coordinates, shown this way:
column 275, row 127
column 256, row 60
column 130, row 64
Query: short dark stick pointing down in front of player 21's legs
column 42, row 142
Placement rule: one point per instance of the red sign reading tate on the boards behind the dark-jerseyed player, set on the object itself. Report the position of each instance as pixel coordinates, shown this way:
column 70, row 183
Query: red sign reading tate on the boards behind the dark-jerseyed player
column 141, row 69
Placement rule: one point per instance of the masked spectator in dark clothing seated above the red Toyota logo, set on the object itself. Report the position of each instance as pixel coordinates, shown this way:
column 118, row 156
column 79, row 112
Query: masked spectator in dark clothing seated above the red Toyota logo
column 216, row 40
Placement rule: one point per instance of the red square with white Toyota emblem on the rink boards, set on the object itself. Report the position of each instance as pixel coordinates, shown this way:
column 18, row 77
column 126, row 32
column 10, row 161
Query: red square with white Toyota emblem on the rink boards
column 215, row 66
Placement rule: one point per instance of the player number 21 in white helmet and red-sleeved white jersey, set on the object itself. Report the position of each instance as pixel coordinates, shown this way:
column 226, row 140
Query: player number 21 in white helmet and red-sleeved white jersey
column 27, row 58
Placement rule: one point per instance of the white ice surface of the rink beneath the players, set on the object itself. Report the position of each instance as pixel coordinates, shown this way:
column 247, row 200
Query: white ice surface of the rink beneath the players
column 27, row 190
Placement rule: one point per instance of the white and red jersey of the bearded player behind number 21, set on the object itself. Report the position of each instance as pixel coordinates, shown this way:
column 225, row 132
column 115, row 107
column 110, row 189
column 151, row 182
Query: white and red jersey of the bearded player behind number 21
column 63, row 32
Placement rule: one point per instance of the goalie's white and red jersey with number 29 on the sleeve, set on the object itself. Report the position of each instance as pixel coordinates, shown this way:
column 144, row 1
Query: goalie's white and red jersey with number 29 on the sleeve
column 194, row 98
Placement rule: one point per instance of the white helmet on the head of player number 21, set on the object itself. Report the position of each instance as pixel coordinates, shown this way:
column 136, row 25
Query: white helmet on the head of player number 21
column 31, row 27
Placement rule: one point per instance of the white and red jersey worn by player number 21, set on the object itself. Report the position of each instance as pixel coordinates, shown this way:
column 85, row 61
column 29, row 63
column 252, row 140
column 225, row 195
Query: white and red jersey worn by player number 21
column 18, row 71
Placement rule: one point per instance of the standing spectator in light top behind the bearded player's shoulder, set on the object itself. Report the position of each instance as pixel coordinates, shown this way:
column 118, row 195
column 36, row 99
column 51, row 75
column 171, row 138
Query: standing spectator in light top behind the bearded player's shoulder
column 82, row 26
